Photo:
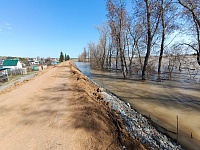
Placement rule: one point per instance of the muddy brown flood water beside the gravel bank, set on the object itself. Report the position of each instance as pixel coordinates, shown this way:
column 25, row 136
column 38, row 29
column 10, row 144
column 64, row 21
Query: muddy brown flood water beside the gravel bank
column 162, row 101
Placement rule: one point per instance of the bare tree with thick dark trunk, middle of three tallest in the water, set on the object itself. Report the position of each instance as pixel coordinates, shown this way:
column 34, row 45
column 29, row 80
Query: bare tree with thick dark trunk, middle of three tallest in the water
column 149, row 14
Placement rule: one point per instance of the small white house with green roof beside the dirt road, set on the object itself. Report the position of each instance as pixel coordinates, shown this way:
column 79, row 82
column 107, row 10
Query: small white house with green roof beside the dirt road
column 12, row 64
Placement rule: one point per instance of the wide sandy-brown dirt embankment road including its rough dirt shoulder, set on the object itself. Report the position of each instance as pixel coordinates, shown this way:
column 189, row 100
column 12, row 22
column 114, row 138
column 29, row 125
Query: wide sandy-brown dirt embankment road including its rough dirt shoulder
column 59, row 109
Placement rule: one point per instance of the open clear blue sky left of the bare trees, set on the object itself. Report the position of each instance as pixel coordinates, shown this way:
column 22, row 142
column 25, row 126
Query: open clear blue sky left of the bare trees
column 31, row 28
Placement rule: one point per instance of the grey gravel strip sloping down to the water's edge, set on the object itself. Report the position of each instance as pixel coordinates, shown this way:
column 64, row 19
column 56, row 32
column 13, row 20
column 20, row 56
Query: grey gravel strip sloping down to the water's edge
column 138, row 125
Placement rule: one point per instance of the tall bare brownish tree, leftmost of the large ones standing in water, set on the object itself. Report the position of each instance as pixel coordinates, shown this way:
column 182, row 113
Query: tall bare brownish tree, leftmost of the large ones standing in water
column 117, row 22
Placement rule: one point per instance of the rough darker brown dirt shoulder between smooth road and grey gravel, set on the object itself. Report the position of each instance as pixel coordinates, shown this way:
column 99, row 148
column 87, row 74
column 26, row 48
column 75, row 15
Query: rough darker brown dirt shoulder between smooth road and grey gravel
column 96, row 115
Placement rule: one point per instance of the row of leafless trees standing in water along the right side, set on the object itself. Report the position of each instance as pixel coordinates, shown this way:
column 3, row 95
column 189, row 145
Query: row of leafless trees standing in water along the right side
column 130, row 36
